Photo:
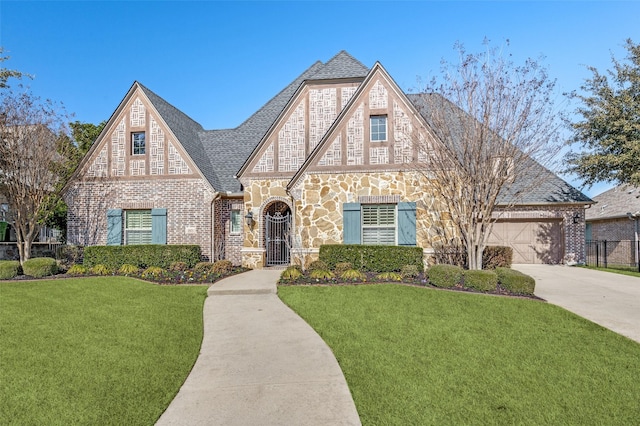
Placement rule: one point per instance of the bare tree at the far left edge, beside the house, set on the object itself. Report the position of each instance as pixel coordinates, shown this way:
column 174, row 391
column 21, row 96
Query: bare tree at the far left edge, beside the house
column 32, row 159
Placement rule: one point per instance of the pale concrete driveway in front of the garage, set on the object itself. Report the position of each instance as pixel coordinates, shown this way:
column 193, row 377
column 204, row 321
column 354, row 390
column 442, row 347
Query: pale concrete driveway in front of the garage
column 611, row 300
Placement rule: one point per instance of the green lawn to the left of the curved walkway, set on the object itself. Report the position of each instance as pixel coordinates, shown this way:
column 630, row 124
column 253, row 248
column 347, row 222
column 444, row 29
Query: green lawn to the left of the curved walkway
column 100, row 351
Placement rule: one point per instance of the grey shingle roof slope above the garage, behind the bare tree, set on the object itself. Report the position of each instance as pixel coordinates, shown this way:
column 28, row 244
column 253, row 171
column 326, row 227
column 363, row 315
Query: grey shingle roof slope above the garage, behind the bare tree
column 538, row 186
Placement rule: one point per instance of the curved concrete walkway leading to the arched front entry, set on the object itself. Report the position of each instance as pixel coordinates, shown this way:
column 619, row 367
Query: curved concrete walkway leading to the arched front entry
column 260, row 364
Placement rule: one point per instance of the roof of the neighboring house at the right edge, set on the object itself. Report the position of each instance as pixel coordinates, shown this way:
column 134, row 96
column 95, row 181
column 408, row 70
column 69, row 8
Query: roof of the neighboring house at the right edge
column 615, row 203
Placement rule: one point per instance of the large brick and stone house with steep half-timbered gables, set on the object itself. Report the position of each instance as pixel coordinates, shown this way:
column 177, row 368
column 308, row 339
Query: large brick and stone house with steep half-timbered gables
column 326, row 161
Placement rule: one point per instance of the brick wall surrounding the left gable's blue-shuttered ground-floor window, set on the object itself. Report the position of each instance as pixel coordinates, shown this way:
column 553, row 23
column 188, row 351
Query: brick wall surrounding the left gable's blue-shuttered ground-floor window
column 188, row 203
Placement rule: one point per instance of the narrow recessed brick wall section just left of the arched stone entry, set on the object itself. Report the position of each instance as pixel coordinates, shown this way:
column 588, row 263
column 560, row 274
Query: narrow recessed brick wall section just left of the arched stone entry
column 227, row 245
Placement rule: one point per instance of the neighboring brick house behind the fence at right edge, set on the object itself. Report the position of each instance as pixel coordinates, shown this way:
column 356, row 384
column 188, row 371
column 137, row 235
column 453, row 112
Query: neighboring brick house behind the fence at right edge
column 615, row 218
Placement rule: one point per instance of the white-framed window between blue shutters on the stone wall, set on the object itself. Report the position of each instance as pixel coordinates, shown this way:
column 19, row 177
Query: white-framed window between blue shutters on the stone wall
column 379, row 224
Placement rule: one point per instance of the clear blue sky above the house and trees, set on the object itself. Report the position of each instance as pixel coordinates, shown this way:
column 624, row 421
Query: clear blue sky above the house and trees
column 221, row 61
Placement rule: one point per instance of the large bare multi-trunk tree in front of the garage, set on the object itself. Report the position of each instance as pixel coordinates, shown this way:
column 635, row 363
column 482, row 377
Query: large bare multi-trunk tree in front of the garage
column 491, row 128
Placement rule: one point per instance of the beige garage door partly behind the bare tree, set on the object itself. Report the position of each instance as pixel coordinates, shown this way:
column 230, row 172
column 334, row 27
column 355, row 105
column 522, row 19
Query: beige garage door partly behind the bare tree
column 532, row 242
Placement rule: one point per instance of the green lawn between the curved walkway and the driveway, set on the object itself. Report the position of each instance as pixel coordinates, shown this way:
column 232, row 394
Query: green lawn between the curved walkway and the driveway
column 416, row 356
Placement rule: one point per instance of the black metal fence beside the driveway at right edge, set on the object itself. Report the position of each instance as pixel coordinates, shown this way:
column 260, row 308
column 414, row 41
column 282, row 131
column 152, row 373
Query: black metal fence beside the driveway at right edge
column 614, row 254
